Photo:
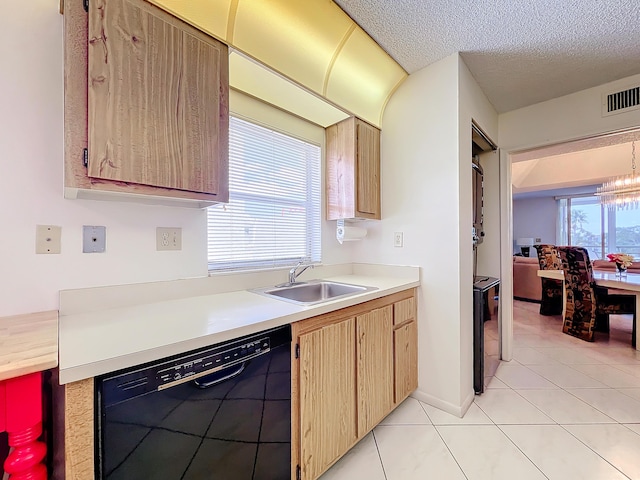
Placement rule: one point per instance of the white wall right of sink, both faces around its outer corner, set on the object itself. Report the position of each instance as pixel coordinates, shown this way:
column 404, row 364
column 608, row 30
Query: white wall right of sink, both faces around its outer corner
column 426, row 194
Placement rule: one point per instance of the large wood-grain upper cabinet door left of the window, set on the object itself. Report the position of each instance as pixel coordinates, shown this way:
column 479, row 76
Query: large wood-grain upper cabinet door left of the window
column 157, row 99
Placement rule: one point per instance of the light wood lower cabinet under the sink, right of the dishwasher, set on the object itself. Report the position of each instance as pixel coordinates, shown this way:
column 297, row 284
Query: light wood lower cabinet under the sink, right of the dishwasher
column 350, row 368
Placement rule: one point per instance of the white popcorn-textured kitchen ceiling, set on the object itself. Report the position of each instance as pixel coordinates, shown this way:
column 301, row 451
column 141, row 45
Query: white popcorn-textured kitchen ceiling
column 520, row 52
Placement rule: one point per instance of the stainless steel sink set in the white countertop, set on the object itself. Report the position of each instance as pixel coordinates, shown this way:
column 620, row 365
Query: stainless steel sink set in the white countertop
column 309, row 293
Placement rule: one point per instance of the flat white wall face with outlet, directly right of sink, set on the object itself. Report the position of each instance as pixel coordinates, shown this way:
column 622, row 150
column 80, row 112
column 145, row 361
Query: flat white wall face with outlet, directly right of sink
column 419, row 177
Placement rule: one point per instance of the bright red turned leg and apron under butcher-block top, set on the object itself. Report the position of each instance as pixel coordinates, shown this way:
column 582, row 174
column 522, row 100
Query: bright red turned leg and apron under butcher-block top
column 21, row 417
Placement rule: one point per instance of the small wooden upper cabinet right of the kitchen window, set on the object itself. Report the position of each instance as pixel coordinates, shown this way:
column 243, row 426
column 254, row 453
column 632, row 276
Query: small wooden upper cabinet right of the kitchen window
column 353, row 170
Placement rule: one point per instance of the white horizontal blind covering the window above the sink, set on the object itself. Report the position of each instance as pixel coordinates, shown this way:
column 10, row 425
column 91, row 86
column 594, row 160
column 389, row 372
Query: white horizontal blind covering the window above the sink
column 273, row 215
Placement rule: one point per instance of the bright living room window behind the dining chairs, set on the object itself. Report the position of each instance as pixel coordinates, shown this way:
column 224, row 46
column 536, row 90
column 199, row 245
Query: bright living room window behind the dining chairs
column 584, row 222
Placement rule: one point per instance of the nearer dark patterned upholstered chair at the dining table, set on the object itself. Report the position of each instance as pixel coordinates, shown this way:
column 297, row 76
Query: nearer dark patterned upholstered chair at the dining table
column 585, row 301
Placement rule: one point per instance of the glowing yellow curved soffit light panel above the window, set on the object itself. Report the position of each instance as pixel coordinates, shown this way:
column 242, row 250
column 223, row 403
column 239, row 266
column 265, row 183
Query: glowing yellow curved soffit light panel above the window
column 314, row 44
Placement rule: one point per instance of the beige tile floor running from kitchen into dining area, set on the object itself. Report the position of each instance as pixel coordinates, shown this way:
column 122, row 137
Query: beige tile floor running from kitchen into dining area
column 561, row 409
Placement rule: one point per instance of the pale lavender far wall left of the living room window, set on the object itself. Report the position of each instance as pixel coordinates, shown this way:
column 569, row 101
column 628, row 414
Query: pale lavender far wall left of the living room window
column 535, row 218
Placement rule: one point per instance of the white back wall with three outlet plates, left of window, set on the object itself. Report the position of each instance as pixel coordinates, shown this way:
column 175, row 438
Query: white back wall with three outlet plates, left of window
column 31, row 187
